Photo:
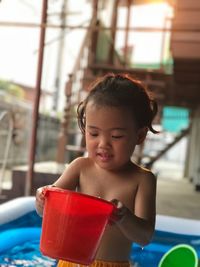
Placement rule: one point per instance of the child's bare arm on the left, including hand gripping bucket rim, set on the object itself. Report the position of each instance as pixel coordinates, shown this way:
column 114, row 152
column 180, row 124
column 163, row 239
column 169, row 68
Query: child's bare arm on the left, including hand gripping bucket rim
column 68, row 180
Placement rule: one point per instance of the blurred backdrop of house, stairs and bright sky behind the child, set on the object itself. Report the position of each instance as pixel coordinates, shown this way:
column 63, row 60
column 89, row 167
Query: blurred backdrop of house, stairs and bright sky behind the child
column 50, row 51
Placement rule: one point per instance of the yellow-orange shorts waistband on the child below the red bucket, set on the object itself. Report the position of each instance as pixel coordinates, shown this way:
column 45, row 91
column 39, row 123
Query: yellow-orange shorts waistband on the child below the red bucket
column 96, row 263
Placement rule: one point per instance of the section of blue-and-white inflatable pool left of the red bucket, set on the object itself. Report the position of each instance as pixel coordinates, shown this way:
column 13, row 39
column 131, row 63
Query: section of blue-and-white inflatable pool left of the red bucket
column 20, row 230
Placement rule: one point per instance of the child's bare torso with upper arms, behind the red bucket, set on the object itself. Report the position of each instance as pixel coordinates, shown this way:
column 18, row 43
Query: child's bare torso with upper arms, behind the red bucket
column 130, row 186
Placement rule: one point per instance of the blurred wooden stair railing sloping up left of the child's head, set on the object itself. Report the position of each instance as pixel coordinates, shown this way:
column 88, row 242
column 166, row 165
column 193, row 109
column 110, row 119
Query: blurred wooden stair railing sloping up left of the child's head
column 73, row 92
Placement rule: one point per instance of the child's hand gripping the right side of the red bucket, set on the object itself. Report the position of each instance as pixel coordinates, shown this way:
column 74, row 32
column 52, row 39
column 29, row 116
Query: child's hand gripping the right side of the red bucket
column 119, row 213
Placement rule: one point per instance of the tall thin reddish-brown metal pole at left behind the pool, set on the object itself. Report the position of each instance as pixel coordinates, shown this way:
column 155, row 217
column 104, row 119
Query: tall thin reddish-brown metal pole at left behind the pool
column 30, row 171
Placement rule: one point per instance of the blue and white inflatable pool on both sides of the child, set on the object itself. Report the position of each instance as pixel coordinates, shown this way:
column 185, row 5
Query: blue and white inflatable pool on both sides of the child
column 20, row 229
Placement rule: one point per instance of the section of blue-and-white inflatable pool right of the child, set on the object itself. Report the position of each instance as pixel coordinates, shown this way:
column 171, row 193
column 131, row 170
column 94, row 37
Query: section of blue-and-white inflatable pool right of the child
column 170, row 231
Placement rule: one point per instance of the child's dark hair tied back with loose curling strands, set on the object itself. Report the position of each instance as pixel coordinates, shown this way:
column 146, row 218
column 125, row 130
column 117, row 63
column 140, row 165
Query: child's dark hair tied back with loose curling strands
column 120, row 90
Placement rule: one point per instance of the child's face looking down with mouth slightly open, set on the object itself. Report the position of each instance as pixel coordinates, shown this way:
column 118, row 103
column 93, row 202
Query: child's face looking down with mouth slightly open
column 111, row 136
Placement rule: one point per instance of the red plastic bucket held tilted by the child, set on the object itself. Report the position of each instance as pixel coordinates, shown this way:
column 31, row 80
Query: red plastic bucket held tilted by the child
column 73, row 224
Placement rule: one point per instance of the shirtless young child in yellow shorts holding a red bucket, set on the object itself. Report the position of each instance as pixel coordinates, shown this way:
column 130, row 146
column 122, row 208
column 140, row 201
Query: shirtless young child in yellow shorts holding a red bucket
column 114, row 118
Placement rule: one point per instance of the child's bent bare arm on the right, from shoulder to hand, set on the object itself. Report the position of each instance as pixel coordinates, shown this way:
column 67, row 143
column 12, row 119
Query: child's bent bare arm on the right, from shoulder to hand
column 139, row 226
